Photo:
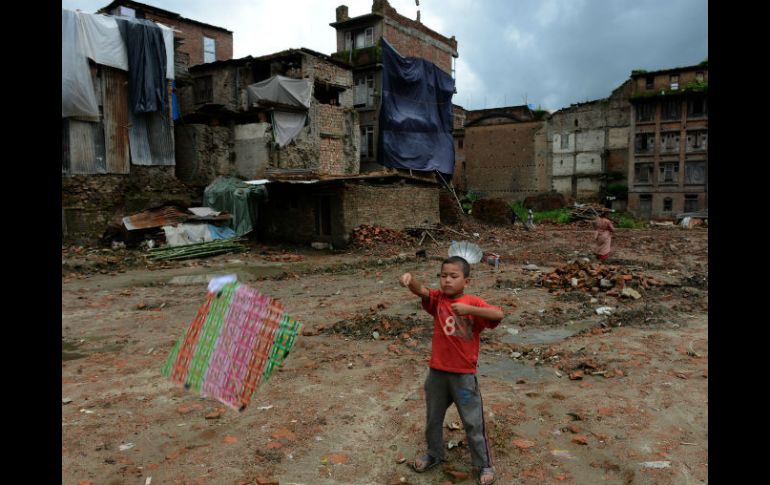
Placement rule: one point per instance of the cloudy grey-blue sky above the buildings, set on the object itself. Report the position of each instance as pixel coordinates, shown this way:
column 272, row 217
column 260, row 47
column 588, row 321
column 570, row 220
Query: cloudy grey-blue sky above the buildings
column 548, row 53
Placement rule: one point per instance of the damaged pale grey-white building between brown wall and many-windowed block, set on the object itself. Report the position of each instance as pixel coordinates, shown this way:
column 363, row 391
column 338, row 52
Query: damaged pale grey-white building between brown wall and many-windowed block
column 589, row 146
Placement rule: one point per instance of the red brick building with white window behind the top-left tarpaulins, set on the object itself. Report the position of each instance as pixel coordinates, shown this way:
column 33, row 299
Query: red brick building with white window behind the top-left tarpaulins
column 195, row 42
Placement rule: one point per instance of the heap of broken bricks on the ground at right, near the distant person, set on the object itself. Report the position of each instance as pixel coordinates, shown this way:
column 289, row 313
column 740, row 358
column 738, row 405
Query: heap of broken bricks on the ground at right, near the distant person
column 580, row 275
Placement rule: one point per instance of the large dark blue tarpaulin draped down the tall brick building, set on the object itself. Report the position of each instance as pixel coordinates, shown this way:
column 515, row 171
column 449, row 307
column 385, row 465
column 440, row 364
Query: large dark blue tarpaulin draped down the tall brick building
column 416, row 114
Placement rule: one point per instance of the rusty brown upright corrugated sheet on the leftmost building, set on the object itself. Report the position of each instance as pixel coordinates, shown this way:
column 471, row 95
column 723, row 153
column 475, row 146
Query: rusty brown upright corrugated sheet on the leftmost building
column 115, row 102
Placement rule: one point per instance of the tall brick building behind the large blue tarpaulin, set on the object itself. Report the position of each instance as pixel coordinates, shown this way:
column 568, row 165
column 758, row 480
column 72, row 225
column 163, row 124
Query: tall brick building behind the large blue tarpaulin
column 358, row 44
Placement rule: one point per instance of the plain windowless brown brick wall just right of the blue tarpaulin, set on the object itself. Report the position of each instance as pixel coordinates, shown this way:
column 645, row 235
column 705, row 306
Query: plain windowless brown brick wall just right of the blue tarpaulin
column 503, row 160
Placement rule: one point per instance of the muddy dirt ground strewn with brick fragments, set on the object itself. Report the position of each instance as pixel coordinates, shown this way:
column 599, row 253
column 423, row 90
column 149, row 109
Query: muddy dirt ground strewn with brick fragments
column 346, row 405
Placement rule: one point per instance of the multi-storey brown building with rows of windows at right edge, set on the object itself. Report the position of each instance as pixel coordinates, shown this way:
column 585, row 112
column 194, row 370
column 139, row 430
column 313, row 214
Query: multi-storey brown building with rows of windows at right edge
column 668, row 169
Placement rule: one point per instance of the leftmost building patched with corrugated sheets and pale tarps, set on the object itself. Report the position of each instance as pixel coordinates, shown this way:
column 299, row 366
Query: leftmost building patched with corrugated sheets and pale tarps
column 115, row 161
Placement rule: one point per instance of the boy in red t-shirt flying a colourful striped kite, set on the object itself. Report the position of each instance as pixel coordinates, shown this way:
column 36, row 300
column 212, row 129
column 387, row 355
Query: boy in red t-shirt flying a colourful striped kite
column 458, row 320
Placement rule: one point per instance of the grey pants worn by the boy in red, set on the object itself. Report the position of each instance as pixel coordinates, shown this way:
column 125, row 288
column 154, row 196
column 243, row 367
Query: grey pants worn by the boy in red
column 441, row 390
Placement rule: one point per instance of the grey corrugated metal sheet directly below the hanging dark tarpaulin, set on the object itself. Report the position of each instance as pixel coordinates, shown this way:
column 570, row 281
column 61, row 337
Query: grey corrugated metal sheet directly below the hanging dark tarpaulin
column 151, row 139
